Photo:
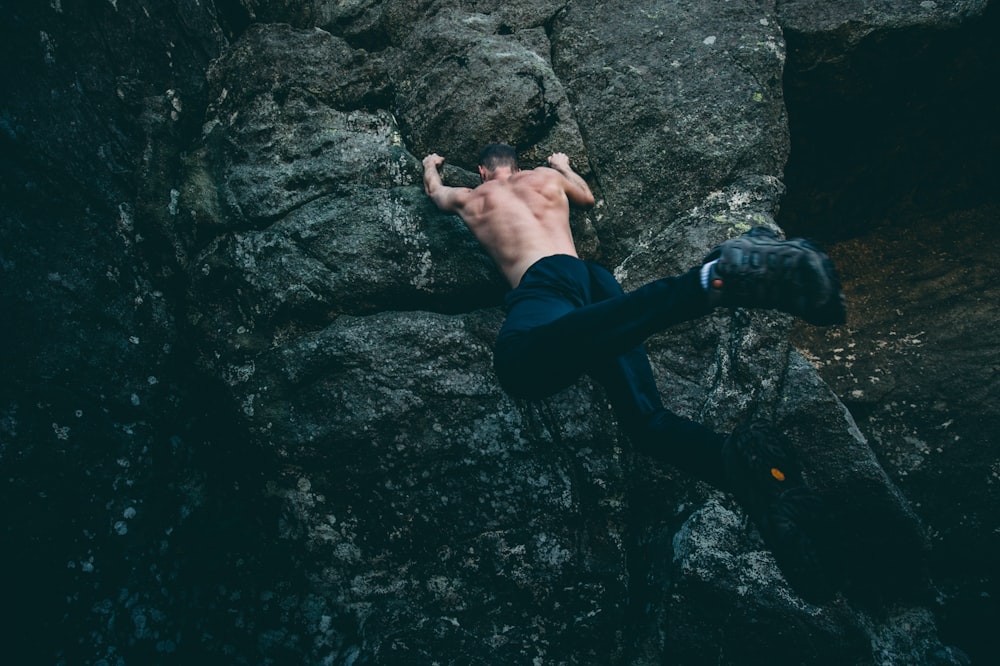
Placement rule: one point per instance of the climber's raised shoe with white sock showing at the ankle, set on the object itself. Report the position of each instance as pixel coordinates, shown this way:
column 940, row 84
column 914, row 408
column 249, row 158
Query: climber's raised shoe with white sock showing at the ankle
column 758, row 270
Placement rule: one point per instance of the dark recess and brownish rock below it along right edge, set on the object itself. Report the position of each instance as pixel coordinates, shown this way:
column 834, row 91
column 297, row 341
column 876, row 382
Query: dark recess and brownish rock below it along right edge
column 888, row 170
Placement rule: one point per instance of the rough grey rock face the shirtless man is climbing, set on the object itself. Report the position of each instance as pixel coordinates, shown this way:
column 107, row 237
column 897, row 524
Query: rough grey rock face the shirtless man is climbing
column 251, row 415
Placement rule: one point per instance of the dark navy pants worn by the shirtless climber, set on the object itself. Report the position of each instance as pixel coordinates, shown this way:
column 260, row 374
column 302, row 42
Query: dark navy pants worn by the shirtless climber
column 570, row 317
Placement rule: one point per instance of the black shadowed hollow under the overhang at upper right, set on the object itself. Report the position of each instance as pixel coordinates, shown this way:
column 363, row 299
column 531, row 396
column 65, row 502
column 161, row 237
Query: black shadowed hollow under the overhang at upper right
column 905, row 122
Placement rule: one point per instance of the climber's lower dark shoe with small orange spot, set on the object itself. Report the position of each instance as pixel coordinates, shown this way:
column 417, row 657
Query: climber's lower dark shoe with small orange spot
column 763, row 475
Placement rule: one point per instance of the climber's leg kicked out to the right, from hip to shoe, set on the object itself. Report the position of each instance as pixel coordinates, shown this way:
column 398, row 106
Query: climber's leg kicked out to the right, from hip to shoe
column 541, row 349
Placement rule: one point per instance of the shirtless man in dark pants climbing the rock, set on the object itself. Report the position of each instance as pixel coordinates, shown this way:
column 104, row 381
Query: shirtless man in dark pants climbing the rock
column 566, row 317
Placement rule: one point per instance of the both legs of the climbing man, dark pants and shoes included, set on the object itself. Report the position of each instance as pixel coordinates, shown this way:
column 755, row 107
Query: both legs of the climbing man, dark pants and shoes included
column 556, row 329
